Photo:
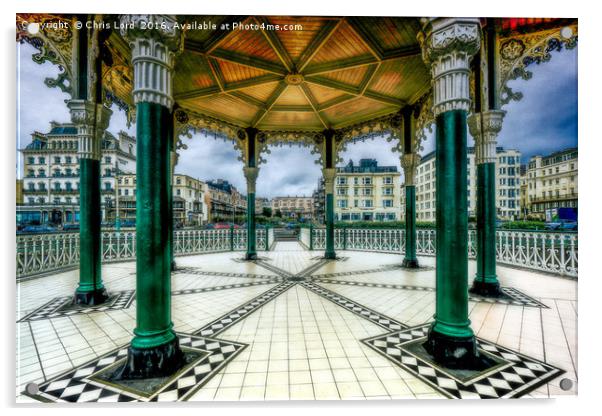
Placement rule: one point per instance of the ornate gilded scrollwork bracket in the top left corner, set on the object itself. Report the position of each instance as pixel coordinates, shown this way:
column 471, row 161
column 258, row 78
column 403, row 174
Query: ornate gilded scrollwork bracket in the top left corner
column 53, row 41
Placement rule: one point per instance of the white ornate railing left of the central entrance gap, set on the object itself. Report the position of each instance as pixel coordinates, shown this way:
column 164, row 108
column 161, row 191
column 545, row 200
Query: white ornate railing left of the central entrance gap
column 42, row 253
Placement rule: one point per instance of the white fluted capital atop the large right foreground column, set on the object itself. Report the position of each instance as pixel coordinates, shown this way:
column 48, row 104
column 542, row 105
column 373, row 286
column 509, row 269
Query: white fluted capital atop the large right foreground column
column 448, row 44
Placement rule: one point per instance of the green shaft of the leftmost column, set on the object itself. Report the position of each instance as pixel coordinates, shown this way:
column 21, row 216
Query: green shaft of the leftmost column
column 90, row 277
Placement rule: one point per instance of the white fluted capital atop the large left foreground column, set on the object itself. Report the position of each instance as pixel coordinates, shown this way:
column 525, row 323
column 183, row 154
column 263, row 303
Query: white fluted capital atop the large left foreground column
column 155, row 40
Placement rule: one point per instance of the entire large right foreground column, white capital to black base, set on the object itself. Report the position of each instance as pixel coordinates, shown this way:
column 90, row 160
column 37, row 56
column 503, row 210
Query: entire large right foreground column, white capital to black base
column 448, row 45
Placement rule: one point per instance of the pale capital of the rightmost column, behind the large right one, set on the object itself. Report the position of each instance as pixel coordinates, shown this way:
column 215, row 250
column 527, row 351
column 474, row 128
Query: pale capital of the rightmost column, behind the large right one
column 484, row 128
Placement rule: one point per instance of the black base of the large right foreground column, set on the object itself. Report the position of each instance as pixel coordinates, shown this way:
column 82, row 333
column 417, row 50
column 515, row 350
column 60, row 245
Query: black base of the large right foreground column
column 454, row 352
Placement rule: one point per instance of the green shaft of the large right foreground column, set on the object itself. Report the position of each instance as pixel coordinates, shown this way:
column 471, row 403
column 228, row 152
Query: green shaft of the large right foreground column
column 451, row 315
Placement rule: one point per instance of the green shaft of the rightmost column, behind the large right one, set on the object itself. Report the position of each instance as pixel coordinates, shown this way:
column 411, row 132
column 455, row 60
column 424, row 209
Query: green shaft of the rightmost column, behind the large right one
column 486, row 219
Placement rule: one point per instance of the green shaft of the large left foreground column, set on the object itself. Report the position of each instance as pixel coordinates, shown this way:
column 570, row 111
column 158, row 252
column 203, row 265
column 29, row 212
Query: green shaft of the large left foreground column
column 153, row 225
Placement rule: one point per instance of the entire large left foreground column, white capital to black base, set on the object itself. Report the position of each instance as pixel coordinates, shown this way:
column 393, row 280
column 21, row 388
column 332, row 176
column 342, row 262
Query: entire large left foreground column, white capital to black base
column 154, row 350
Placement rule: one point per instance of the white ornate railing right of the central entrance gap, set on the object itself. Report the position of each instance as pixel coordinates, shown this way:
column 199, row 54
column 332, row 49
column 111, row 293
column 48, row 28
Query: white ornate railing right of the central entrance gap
column 546, row 251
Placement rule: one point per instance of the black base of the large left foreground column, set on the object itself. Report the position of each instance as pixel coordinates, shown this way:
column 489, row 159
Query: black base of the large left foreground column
column 159, row 361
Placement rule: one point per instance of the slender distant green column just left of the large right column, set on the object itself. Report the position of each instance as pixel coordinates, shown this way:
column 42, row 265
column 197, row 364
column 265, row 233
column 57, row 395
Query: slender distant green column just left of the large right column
column 409, row 163
